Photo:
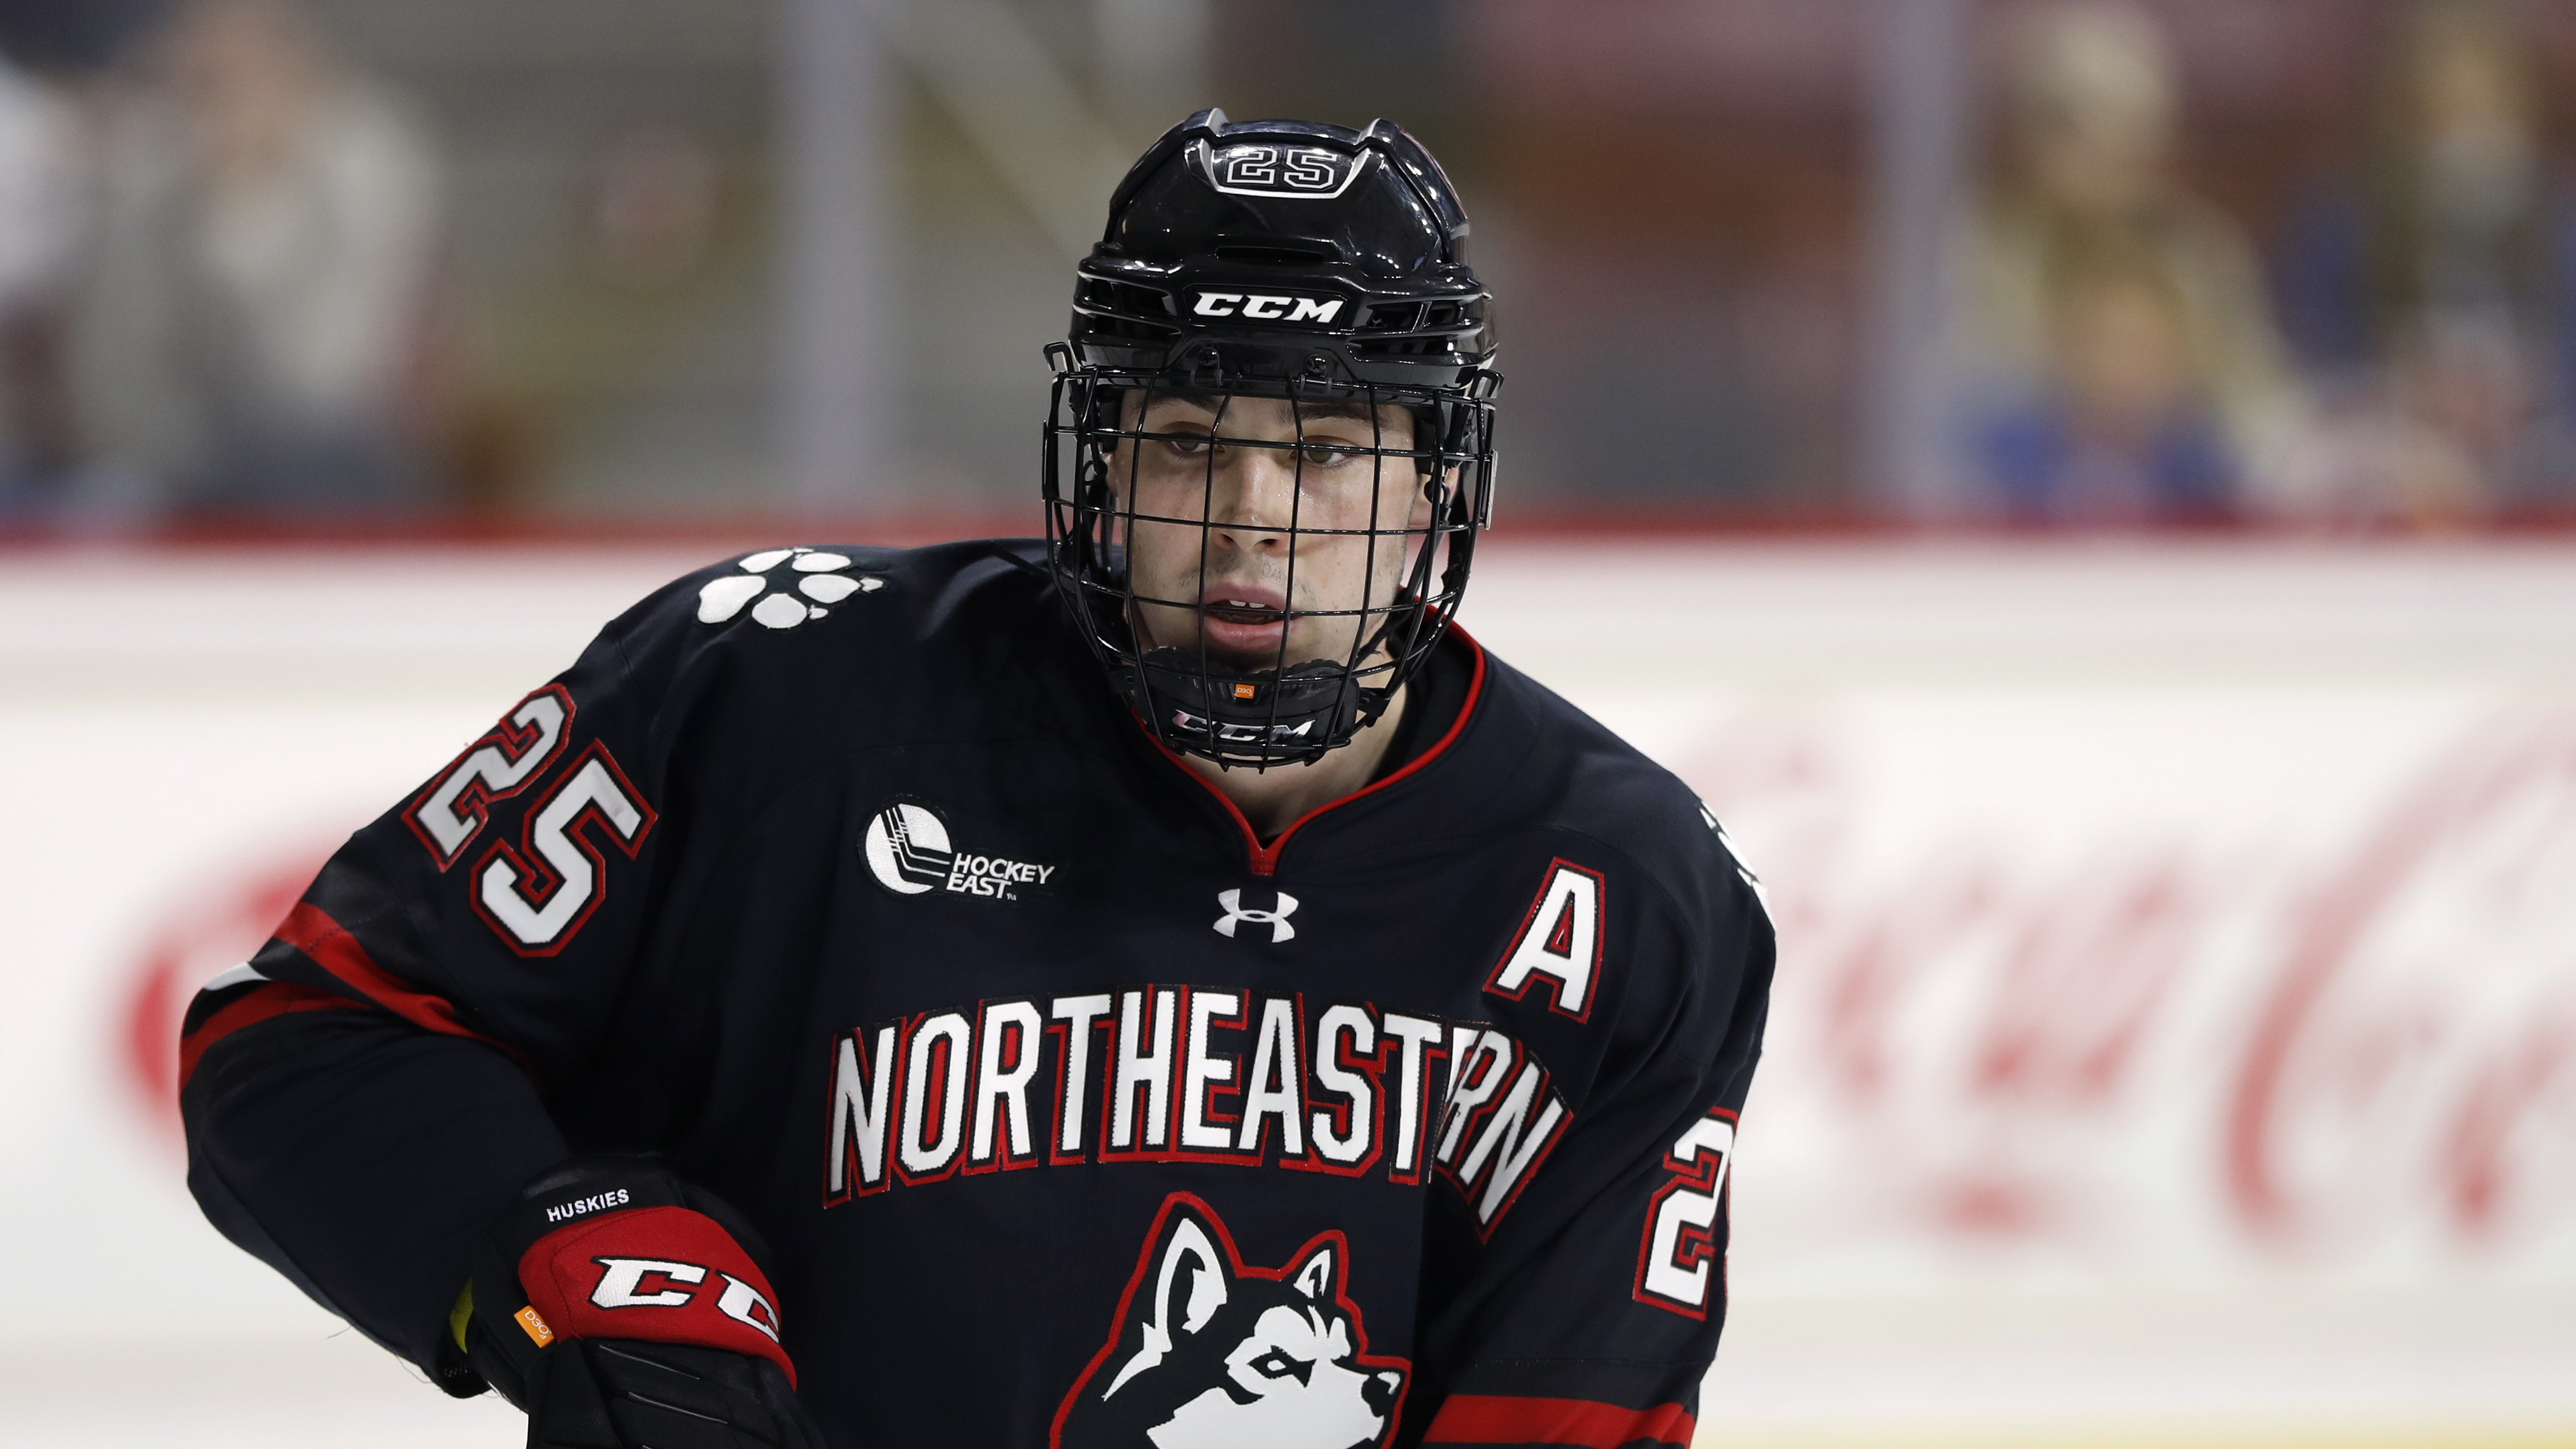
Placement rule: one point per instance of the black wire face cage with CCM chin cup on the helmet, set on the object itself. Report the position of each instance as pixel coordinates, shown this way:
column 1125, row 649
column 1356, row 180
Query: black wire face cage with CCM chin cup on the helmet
column 1282, row 708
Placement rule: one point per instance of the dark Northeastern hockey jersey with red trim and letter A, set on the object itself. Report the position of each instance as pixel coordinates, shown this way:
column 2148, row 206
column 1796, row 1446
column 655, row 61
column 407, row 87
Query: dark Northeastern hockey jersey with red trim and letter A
column 844, row 880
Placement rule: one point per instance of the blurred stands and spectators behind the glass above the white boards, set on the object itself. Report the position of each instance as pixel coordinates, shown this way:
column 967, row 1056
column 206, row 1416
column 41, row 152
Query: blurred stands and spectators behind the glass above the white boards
column 2201, row 262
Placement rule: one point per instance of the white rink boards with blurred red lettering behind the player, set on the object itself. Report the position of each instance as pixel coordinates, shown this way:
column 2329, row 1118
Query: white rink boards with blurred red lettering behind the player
column 2178, row 1002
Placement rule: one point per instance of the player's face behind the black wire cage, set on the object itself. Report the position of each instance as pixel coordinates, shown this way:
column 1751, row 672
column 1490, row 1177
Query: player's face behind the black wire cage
column 1217, row 494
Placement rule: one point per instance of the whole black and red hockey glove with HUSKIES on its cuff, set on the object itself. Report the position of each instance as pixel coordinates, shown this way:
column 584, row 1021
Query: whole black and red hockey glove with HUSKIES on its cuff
column 625, row 1308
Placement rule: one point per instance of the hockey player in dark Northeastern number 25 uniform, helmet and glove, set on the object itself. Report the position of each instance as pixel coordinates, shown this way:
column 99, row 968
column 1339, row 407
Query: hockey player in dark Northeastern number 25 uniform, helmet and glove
column 1158, row 986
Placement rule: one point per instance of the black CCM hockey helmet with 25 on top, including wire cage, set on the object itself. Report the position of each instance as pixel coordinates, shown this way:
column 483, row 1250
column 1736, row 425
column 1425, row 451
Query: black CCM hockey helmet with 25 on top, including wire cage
column 1287, row 262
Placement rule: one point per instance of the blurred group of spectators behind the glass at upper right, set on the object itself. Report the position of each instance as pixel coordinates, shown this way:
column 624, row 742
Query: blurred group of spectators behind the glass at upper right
column 2389, row 339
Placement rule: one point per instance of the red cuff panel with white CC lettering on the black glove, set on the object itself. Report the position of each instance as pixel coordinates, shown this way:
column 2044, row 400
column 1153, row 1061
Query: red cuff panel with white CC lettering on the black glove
column 663, row 1275
